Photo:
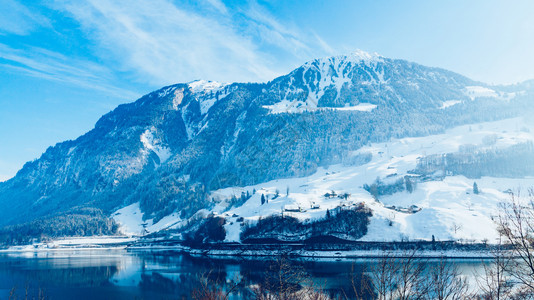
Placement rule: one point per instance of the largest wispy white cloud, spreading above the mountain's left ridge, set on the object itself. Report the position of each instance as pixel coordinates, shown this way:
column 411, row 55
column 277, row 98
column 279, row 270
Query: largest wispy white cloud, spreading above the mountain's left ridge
column 164, row 42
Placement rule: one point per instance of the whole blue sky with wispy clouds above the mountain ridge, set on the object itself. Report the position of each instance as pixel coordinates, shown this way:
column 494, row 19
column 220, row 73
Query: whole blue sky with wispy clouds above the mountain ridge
column 63, row 64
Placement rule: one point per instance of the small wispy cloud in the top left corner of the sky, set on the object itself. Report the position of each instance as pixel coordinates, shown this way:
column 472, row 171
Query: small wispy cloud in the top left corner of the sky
column 15, row 18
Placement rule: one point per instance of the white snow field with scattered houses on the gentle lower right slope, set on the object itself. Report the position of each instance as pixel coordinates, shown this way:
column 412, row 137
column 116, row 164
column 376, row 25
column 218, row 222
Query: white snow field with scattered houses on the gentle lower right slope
column 449, row 209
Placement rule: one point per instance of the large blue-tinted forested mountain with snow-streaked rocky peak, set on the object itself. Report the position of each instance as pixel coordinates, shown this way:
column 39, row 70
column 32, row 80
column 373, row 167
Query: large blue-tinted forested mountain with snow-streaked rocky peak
column 169, row 150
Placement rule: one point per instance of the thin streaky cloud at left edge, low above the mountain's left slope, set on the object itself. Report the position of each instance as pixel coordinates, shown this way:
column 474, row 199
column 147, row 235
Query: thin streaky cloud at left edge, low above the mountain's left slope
column 45, row 64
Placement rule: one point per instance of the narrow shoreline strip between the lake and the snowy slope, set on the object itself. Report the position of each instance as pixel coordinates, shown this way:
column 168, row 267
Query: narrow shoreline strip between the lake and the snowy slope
column 369, row 250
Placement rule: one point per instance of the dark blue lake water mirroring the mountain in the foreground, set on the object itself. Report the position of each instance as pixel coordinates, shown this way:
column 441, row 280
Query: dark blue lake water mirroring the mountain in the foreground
column 119, row 274
